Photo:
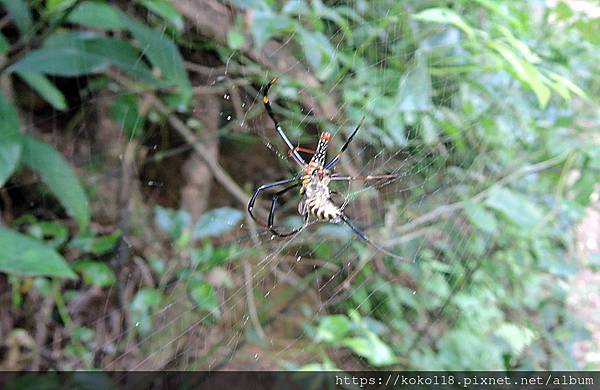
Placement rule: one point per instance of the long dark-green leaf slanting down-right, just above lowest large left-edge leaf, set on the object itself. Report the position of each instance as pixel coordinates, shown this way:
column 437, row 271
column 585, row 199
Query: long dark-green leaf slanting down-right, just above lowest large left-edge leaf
column 59, row 177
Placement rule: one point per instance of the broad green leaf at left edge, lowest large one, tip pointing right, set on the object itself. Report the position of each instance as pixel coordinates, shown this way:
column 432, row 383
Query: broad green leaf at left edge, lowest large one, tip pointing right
column 25, row 256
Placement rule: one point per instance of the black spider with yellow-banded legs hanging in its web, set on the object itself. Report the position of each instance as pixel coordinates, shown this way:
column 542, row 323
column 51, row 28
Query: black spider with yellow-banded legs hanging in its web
column 313, row 179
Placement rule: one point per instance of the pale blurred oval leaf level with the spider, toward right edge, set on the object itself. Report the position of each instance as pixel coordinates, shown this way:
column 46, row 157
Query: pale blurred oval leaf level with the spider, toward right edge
column 516, row 207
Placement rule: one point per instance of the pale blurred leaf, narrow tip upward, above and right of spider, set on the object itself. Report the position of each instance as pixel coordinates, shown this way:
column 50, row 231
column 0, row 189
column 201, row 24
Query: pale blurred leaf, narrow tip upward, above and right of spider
column 414, row 90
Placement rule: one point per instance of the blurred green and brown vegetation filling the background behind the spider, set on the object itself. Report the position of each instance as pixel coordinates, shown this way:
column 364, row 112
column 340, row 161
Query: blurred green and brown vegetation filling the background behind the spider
column 489, row 109
